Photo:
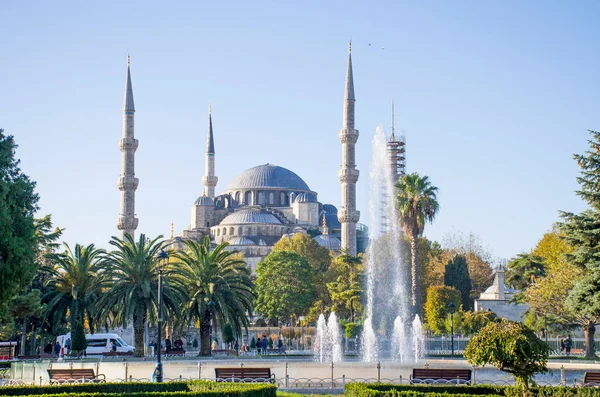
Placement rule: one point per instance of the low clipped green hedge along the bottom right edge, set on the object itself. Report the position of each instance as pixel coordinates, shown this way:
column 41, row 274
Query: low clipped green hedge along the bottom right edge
column 388, row 390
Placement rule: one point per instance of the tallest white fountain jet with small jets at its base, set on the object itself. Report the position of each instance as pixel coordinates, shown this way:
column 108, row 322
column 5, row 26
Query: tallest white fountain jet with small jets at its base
column 388, row 311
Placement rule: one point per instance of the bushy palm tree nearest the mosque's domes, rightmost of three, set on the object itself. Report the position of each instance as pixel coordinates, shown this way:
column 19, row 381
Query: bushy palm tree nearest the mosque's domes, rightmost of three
column 219, row 284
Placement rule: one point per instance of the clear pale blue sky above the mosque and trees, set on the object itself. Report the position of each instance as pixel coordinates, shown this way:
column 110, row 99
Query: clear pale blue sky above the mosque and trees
column 494, row 97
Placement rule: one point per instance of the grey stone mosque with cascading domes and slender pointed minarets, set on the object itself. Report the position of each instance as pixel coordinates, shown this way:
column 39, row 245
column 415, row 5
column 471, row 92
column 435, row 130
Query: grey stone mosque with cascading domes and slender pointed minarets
column 262, row 204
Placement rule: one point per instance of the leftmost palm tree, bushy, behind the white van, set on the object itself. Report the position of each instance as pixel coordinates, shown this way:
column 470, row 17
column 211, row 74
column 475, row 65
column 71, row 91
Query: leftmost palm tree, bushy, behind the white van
column 74, row 283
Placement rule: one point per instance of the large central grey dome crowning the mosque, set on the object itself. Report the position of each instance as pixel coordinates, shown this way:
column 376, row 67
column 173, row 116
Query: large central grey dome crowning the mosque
column 268, row 176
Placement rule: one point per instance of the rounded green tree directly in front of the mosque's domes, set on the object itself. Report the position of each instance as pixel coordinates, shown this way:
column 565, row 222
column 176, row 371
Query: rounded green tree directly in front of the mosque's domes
column 283, row 286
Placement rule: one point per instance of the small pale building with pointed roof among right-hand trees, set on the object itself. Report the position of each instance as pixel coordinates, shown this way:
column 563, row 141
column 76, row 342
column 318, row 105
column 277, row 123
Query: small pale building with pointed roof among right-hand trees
column 497, row 298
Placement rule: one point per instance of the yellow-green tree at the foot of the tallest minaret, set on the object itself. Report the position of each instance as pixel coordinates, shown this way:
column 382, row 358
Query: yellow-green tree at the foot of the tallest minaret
column 346, row 290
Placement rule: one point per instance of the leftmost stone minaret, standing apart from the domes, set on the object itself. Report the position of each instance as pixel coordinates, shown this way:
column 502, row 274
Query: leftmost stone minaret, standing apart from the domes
column 127, row 222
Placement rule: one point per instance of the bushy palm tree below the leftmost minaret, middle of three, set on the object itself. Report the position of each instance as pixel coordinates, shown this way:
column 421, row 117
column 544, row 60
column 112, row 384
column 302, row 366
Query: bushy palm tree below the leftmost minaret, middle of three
column 131, row 286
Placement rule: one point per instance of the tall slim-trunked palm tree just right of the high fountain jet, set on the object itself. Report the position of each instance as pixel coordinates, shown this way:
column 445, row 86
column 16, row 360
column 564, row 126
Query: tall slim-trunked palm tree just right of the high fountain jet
column 416, row 200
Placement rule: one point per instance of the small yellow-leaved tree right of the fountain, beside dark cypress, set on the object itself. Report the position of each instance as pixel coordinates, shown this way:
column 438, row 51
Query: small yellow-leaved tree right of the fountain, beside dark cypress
column 436, row 307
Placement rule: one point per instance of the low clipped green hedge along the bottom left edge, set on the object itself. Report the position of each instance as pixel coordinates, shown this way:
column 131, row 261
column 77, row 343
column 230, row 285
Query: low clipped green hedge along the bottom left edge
column 193, row 389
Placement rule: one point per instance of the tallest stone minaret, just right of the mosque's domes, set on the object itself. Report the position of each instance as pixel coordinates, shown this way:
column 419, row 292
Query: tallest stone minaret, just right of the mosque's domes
column 348, row 215
